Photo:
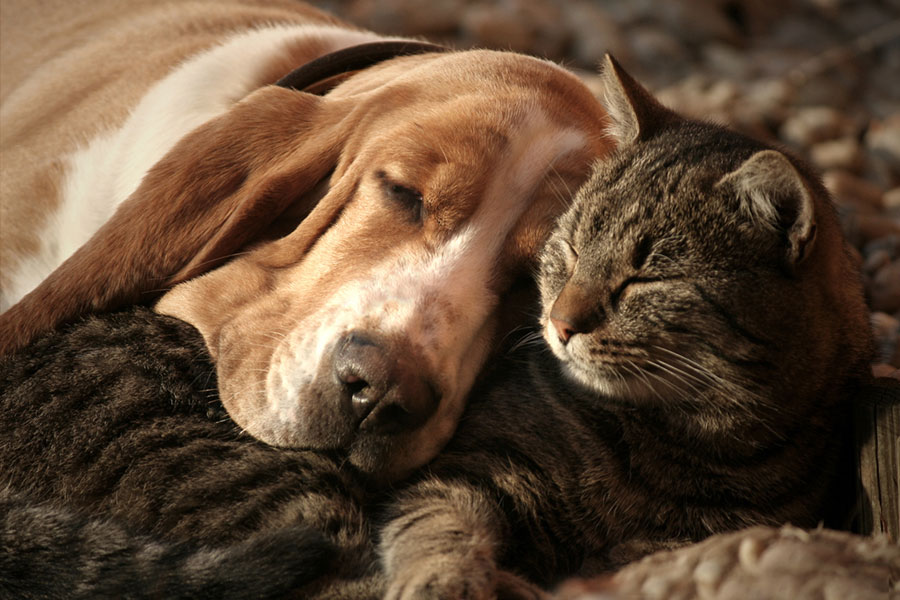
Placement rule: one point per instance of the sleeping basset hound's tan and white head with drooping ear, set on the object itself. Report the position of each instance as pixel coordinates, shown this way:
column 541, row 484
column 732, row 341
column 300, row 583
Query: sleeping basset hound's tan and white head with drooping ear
column 379, row 232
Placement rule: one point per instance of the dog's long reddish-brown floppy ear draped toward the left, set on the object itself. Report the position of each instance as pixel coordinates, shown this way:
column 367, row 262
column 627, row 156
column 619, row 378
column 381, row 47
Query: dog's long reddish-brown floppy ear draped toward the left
column 214, row 192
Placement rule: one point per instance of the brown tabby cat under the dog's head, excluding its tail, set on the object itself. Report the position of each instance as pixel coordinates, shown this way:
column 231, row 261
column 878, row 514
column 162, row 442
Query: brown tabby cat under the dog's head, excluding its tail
column 708, row 329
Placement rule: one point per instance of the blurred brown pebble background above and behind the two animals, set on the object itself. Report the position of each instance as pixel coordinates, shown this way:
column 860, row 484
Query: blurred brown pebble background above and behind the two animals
column 821, row 77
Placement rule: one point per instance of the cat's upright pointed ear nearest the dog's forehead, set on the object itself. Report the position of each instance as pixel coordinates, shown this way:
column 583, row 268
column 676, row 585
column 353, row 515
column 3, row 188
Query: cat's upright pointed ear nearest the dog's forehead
column 634, row 112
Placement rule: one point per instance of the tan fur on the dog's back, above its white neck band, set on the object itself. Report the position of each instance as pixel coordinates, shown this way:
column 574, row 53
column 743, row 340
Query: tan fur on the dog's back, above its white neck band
column 73, row 69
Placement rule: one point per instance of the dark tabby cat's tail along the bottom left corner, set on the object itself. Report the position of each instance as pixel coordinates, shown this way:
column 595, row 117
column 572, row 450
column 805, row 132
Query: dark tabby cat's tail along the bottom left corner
column 49, row 552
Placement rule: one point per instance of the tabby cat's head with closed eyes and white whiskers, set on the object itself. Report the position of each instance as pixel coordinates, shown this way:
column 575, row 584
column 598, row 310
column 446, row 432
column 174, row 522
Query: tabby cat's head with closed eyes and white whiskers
column 697, row 262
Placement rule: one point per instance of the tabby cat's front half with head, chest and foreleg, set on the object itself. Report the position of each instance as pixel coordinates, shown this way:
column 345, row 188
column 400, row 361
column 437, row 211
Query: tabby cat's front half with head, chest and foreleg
column 709, row 328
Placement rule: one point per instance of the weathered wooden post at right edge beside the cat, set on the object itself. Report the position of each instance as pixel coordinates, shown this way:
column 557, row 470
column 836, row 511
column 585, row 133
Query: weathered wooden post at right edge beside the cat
column 877, row 426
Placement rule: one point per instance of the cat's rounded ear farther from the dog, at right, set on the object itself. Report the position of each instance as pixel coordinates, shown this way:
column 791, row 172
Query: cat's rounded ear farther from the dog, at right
column 774, row 194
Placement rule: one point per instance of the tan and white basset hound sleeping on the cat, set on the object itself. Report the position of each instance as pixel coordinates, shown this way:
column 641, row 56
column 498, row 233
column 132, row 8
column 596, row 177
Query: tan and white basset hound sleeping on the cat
column 347, row 219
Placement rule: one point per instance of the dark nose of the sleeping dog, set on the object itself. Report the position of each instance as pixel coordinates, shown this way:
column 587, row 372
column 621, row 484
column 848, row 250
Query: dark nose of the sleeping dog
column 387, row 391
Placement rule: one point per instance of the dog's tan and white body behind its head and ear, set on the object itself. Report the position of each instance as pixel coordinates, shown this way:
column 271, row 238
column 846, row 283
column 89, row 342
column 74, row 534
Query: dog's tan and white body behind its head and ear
column 74, row 145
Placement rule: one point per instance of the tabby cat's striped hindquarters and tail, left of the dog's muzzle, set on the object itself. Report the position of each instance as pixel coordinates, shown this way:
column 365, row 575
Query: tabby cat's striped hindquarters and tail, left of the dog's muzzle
column 121, row 476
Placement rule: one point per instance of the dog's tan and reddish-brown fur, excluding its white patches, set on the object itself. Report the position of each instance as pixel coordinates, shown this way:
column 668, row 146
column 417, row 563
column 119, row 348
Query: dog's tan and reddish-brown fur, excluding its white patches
column 240, row 183
